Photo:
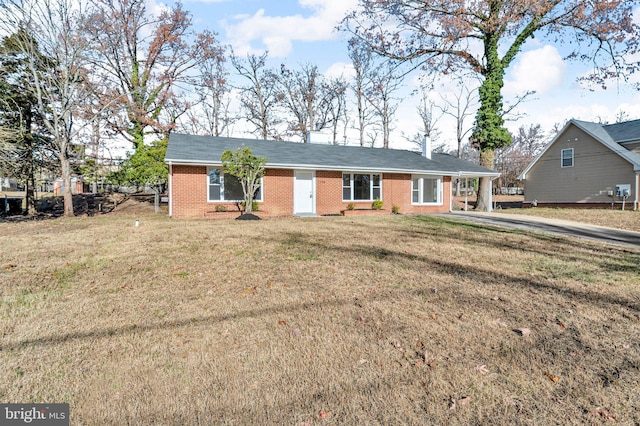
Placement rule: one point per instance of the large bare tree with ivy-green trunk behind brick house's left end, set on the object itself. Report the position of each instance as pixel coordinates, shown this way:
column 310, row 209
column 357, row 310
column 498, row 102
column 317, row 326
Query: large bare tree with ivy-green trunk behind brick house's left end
column 145, row 59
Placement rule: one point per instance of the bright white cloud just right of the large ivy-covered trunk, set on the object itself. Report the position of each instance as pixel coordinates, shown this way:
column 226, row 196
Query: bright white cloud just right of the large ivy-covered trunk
column 541, row 70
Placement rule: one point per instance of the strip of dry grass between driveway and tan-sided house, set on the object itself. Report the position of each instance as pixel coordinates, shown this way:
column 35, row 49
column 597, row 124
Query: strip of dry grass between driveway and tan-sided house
column 628, row 219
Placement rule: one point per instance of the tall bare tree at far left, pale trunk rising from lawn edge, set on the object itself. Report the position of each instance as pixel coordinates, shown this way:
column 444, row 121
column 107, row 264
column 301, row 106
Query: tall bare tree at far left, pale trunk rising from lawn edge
column 56, row 57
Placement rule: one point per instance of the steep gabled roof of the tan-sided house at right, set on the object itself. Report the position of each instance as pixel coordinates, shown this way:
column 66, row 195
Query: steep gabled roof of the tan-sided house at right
column 613, row 136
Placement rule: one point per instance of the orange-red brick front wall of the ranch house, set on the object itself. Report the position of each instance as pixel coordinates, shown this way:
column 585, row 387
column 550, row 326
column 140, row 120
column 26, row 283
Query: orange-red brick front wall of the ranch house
column 189, row 191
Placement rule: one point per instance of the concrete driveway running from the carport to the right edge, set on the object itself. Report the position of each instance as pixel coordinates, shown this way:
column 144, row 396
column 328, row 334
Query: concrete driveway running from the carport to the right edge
column 553, row 226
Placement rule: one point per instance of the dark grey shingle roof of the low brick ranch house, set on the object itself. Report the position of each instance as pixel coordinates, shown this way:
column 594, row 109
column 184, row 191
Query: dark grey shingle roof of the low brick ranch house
column 207, row 150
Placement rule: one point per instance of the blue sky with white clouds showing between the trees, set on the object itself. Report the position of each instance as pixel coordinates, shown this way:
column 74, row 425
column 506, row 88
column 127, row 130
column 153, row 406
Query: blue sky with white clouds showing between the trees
column 303, row 31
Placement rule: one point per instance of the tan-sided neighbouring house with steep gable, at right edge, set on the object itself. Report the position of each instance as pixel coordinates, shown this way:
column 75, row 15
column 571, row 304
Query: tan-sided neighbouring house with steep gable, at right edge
column 587, row 165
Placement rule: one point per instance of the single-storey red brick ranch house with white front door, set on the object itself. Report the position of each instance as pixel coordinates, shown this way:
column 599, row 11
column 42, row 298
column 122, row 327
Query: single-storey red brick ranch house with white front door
column 308, row 179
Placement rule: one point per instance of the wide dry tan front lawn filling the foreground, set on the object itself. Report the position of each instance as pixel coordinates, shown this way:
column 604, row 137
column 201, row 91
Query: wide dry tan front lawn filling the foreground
column 366, row 320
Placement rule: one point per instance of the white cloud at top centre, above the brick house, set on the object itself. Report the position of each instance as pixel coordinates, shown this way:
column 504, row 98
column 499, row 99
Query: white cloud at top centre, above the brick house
column 257, row 32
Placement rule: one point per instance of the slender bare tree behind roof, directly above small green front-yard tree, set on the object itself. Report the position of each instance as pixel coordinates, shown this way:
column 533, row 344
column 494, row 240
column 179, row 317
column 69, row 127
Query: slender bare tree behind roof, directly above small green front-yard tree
column 259, row 96
